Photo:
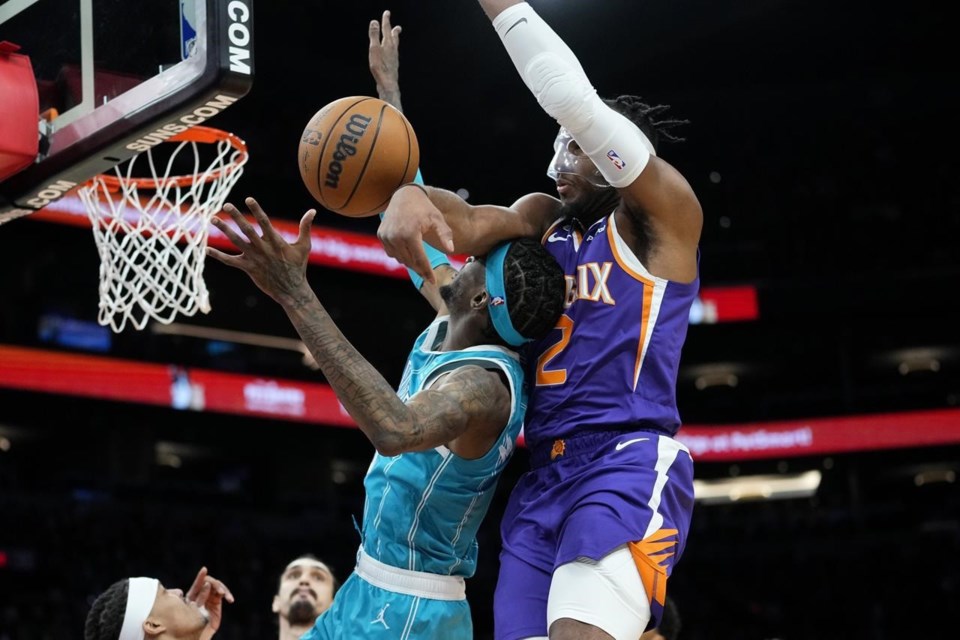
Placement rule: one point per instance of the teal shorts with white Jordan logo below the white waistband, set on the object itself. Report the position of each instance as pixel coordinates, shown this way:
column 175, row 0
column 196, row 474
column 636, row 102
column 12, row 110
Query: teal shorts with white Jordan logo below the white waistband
column 362, row 610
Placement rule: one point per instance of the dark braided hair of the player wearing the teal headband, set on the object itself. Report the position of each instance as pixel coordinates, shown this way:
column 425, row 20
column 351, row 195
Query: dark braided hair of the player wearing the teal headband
column 535, row 288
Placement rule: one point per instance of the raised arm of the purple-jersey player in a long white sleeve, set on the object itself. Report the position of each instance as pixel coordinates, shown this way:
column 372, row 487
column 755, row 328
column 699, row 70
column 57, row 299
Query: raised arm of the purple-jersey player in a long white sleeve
column 623, row 154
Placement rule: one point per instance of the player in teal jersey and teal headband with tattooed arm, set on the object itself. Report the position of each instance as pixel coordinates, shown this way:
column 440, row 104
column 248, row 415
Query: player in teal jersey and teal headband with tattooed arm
column 441, row 440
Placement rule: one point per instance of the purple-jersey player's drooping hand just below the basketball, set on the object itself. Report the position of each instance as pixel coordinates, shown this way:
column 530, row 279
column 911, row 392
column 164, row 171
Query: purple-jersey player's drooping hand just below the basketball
column 410, row 217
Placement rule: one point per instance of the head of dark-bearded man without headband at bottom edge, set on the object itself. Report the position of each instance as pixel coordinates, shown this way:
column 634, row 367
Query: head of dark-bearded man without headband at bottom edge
column 305, row 590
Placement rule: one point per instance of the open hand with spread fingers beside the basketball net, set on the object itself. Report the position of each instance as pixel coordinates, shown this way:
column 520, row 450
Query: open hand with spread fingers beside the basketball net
column 278, row 267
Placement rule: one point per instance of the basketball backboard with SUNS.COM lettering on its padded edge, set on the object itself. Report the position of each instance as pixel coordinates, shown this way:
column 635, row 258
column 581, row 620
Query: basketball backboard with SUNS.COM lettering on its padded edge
column 122, row 77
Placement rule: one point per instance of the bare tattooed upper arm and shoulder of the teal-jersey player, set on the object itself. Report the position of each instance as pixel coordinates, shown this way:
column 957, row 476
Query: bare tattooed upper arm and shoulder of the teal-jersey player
column 466, row 411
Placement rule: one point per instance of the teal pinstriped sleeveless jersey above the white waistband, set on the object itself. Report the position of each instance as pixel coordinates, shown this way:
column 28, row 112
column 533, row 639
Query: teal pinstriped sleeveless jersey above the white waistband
column 423, row 509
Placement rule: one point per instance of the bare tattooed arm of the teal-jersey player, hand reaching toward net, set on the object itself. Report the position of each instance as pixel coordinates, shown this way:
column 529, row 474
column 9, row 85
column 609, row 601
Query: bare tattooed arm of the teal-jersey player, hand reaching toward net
column 467, row 410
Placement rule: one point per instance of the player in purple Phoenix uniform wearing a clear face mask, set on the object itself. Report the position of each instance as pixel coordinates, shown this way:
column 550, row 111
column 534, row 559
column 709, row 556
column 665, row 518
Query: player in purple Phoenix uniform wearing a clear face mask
column 592, row 532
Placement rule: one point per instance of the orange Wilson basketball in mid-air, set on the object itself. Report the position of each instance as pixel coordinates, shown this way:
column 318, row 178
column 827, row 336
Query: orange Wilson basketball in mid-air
column 354, row 153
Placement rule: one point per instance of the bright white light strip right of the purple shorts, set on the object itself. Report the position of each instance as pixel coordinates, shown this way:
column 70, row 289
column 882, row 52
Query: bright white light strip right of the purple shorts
column 759, row 487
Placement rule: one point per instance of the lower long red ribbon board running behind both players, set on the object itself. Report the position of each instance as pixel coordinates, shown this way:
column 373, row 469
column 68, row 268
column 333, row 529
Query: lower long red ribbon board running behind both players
column 204, row 390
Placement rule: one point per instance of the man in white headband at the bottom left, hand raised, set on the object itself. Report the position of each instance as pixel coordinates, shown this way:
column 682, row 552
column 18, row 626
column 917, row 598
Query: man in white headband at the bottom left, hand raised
column 142, row 608
